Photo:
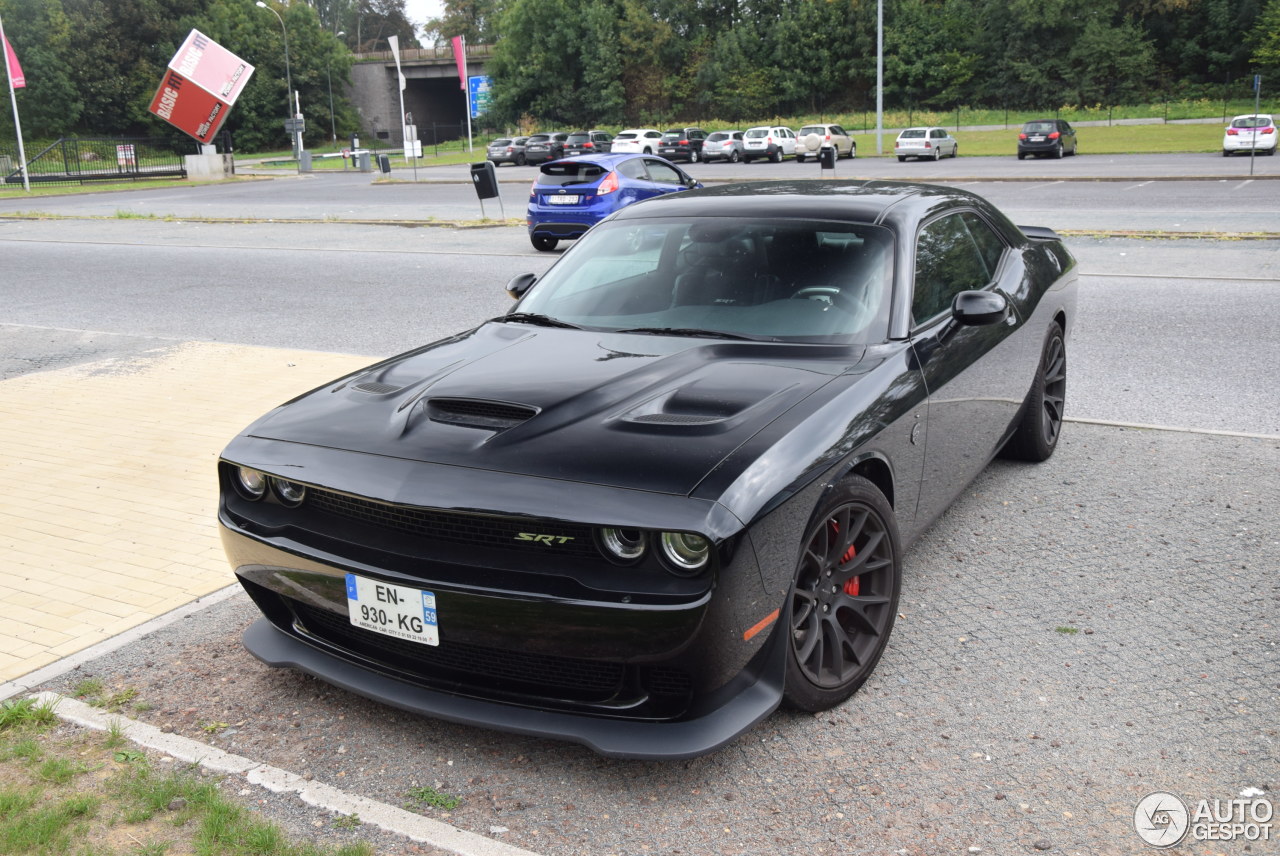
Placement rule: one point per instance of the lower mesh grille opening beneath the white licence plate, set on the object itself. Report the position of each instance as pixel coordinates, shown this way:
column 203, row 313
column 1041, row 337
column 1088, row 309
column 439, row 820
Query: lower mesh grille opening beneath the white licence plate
column 470, row 665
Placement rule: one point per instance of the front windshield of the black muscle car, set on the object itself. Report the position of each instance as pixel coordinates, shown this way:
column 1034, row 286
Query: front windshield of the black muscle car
column 792, row 281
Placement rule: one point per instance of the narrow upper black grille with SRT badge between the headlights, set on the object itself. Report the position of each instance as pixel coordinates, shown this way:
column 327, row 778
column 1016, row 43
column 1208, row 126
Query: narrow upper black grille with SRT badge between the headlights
column 454, row 528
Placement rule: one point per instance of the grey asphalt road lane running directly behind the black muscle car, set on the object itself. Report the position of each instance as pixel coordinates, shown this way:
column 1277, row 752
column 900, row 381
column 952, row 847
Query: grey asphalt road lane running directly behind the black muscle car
column 1169, row 333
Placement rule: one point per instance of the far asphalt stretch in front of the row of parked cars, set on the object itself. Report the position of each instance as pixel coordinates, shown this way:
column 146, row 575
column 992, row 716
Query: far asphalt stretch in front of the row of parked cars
column 1086, row 193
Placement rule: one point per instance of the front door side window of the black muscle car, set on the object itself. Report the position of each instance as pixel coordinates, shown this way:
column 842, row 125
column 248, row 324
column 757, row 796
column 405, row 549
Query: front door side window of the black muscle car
column 948, row 262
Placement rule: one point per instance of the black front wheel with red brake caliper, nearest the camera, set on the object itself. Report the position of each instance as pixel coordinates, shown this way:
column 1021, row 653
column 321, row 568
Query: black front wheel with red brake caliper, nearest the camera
column 844, row 597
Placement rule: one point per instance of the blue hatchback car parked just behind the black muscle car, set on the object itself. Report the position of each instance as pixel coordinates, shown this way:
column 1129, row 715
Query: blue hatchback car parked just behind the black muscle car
column 573, row 195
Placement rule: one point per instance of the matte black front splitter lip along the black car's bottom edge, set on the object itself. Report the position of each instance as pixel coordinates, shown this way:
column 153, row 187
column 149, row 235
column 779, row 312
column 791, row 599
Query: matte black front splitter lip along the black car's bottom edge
column 666, row 741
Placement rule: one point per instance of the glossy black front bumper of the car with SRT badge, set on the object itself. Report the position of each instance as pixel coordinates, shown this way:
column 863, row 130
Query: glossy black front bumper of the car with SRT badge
column 627, row 661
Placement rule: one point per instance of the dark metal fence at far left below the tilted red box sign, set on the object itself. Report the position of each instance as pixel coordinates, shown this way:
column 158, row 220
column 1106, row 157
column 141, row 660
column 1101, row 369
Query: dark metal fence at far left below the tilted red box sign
column 75, row 161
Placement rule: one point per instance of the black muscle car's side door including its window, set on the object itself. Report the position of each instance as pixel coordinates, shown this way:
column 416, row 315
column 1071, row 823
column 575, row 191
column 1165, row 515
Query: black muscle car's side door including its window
column 975, row 379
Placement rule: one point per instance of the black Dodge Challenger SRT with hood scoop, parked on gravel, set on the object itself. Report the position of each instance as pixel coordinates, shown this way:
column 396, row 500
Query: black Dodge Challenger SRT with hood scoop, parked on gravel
column 673, row 488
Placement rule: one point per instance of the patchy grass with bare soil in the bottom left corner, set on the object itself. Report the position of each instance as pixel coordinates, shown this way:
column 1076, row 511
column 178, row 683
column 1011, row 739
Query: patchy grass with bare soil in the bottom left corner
column 77, row 793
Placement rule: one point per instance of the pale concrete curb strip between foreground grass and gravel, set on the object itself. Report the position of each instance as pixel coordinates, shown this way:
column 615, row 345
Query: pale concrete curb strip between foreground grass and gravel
column 412, row 826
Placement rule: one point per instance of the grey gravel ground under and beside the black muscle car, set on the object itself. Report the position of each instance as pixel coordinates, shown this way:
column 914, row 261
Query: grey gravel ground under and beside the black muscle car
column 1076, row 637
